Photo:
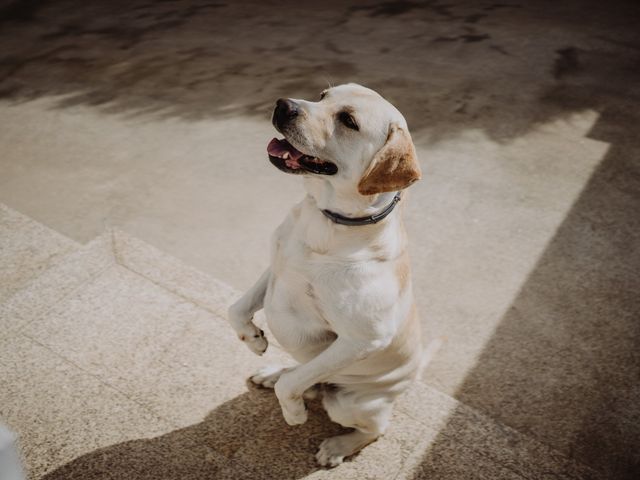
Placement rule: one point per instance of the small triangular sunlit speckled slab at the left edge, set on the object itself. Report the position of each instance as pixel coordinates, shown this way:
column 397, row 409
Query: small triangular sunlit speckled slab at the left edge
column 27, row 248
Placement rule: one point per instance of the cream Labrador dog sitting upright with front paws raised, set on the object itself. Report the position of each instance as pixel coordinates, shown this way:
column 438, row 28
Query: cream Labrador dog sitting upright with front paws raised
column 338, row 295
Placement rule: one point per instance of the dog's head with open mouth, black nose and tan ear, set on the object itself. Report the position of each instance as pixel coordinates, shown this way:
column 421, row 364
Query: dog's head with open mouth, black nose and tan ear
column 351, row 136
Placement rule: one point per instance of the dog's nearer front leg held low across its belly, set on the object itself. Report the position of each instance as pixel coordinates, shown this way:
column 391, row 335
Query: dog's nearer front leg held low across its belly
column 292, row 384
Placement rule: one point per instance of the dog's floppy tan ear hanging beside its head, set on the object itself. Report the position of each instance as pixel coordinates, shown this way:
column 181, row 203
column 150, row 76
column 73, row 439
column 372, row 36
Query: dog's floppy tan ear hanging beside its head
column 394, row 167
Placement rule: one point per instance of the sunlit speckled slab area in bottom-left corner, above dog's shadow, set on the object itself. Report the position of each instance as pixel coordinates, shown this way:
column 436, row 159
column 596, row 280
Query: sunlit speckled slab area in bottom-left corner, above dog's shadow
column 61, row 412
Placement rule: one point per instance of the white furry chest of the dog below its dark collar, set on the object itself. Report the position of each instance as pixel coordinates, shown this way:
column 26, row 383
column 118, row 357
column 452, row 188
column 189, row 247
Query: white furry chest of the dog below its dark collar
column 320, row 272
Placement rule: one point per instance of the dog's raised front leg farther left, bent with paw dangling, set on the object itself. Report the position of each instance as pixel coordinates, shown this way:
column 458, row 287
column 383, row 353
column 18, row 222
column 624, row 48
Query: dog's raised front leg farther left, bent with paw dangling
column 241, row 313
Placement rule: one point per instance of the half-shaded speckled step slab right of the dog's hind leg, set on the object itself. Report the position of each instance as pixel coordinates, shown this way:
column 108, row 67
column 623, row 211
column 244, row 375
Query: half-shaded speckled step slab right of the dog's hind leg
column 460, row 433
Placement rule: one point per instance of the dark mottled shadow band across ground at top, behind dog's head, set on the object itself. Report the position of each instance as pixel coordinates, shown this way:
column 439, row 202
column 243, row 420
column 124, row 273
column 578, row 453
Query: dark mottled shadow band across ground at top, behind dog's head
column 475, row 64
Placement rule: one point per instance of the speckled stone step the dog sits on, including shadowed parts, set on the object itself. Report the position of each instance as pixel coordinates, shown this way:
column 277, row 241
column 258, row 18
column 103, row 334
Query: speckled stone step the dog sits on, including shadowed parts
column 118, row 363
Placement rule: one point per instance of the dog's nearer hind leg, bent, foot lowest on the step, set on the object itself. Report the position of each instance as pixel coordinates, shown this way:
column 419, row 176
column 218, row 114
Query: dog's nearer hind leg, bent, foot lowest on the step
column 368, row 416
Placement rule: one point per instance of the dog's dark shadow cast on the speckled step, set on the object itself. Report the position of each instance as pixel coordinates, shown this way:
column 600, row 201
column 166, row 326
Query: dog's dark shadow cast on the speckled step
column 245, row 437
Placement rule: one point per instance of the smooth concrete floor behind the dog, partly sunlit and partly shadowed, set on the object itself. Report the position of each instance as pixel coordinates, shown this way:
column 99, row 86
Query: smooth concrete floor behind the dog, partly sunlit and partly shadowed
column 153, row 117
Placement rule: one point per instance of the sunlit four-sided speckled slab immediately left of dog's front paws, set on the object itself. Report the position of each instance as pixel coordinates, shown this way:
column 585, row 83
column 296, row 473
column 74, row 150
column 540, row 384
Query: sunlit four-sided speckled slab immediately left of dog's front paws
column 166, row 352
